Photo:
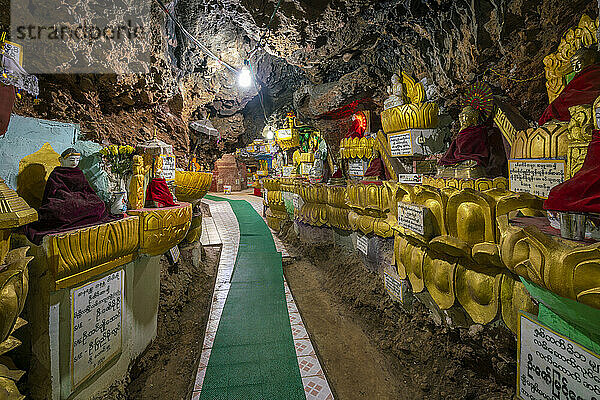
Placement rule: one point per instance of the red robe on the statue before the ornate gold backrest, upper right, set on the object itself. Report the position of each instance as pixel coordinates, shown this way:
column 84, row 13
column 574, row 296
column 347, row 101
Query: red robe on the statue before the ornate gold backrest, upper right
column 583, row 89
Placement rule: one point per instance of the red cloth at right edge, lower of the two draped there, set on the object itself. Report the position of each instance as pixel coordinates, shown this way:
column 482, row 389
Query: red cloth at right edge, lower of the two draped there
column 581, row 193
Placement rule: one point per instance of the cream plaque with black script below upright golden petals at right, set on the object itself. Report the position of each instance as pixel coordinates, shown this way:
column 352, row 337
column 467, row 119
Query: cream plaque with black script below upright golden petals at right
column 537, row 177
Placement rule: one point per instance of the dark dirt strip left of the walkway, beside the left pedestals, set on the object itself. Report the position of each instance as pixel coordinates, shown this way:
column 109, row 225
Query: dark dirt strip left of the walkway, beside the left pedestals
column 167, row 369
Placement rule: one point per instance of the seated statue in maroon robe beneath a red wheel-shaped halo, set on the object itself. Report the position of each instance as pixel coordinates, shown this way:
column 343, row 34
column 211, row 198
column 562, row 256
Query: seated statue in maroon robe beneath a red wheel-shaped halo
column 476, row 151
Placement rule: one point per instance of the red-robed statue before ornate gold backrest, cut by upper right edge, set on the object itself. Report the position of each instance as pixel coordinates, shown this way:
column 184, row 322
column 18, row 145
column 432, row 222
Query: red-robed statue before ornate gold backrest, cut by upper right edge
column 584, row 88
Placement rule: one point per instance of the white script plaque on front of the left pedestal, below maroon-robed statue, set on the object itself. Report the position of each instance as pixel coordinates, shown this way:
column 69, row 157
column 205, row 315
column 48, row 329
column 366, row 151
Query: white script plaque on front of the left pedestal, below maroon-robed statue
column 97, row 317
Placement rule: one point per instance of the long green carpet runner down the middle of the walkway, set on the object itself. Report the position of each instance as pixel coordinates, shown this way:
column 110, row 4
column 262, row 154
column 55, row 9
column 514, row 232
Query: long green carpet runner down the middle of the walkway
column 253, row 355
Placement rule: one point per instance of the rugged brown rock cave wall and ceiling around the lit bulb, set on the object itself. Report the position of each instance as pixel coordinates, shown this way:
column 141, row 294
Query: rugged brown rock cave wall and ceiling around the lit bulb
column 318, row 56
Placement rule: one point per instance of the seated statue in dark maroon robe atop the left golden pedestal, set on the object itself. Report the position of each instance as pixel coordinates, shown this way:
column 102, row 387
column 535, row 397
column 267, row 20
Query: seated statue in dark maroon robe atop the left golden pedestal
column 69, row 201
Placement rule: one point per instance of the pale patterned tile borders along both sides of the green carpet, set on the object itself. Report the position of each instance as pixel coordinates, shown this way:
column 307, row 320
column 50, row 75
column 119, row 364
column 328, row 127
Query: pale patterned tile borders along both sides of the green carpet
column 313, row 378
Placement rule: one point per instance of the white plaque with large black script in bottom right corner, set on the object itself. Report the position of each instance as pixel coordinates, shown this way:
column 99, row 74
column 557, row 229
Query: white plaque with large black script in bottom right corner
column 553, row 367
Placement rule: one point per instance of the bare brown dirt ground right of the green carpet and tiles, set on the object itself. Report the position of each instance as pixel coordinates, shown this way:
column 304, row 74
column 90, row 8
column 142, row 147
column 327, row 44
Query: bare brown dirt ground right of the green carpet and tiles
column 373, row 349
